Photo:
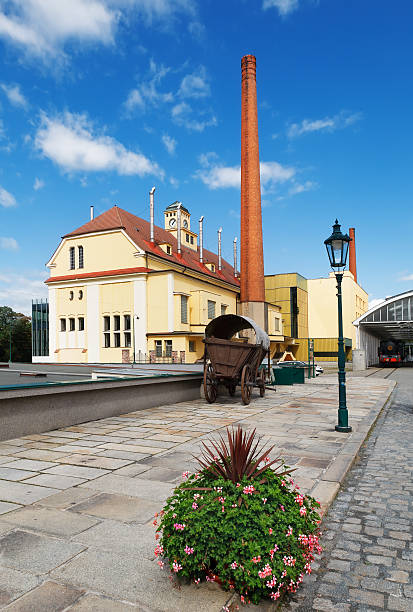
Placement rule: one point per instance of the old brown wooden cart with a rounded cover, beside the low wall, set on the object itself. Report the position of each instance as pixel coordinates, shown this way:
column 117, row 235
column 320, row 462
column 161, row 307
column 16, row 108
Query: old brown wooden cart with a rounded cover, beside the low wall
column 234, row 361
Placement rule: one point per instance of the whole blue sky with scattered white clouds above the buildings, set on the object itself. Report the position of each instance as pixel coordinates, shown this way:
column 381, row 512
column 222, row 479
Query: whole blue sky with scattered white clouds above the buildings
column 102, row 99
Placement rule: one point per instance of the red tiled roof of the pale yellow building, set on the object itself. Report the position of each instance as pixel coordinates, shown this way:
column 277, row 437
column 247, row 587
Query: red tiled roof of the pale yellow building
column 139, row 231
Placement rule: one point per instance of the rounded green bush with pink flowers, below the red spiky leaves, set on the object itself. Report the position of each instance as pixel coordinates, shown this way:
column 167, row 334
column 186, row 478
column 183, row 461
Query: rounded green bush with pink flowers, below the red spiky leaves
column 257, row 537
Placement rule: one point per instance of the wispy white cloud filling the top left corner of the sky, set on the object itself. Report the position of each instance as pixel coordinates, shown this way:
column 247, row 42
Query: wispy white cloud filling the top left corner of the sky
column 43, row 27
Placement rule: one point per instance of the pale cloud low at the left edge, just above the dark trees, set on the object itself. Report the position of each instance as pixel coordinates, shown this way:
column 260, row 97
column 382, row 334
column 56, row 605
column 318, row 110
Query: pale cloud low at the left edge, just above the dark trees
column 18, row 290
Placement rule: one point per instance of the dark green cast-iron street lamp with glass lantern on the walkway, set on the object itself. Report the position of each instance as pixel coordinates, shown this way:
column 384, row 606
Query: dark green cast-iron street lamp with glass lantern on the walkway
column 337, row 250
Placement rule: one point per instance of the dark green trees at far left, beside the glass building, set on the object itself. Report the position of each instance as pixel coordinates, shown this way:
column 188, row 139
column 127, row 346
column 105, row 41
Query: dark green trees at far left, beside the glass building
column 15, row 331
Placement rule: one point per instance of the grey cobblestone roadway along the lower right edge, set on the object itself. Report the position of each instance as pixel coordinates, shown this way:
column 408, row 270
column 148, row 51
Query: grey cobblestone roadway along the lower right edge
column 367, row 562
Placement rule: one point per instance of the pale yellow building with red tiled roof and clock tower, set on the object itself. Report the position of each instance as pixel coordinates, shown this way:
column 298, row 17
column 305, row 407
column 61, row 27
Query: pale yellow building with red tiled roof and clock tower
column 118, row 293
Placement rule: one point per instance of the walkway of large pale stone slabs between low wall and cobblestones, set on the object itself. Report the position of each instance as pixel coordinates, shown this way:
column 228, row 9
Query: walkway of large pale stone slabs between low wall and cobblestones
column 77, row 503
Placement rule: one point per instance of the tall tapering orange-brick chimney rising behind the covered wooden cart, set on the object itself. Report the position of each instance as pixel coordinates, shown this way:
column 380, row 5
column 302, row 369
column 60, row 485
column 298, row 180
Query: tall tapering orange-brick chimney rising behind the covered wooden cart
column 252, row 259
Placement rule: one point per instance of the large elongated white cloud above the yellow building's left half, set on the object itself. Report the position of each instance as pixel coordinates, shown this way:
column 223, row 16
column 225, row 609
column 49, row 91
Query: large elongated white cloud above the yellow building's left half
column 70, row 142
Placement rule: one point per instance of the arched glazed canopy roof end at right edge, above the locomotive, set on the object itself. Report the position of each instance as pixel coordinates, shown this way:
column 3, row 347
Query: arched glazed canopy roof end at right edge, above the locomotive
column 392, row 318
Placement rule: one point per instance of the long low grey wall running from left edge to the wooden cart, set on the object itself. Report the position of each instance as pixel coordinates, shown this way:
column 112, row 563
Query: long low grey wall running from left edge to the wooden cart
column 35, row 409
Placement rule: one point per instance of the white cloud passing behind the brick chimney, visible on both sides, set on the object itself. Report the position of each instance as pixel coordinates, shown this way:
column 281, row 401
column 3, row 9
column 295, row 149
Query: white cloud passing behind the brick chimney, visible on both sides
column 216, row 176
